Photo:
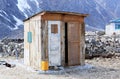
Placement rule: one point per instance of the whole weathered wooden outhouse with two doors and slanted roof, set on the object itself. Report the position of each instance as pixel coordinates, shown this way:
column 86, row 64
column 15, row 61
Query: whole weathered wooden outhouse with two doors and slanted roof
column 57, row 37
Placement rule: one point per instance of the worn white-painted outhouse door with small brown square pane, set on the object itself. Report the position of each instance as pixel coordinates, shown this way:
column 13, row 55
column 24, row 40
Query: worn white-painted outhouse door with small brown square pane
column 54, row 43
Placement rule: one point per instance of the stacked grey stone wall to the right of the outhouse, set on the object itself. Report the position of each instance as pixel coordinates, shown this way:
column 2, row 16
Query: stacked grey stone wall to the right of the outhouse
column 100, row 47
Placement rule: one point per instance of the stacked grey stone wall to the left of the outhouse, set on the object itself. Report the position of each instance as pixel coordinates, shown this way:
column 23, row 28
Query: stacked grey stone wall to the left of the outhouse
column 11, row 48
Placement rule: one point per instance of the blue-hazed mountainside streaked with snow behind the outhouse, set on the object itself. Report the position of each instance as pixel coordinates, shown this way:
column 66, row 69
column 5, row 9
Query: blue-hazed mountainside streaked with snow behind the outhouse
column 12, row 12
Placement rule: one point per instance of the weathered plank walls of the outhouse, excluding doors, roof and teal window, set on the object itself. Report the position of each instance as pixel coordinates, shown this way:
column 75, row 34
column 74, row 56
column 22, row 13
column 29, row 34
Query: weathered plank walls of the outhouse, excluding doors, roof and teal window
column 38, row 50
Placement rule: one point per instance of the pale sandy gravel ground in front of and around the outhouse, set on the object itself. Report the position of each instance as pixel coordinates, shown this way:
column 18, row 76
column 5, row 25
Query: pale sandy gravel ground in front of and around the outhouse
column 102, row 68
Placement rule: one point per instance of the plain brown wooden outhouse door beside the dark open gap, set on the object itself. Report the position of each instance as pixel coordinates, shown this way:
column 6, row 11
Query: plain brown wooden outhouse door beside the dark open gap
column 73, row 43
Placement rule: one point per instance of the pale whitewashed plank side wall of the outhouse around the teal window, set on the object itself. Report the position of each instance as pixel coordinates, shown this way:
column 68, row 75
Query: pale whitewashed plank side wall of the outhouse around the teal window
column 34, row 50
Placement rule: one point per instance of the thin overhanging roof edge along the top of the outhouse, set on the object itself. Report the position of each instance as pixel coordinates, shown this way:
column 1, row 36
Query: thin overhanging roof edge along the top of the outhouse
column 58, row 12
